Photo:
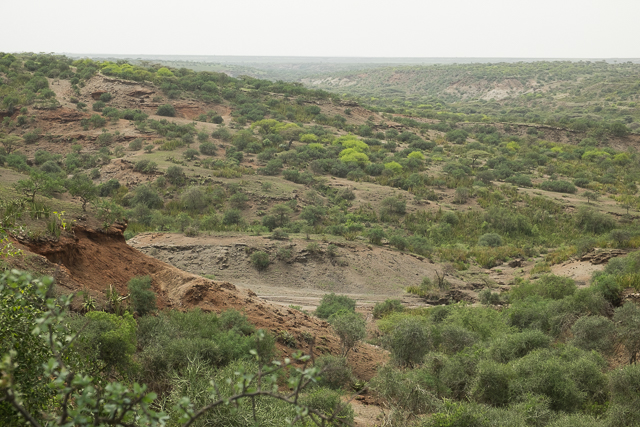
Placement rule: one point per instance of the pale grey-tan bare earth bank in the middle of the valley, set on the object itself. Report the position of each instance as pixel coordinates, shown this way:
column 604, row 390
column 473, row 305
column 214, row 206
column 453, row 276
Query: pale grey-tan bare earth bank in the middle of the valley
column 300, row 271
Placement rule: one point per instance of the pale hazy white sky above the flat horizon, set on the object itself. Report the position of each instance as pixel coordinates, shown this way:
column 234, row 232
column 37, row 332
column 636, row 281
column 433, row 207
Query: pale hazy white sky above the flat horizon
column 400, row 28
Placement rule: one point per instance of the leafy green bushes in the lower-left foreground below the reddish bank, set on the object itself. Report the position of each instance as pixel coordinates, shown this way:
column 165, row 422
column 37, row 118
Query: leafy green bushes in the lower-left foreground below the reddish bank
column 75, row 393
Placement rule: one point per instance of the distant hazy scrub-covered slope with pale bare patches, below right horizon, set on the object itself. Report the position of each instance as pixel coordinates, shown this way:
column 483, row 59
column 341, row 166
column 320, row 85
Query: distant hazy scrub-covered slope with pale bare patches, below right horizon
column 576, row 95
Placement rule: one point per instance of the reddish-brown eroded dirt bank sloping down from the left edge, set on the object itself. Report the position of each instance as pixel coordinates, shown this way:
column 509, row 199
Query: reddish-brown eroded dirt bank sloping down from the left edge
column 92, row 259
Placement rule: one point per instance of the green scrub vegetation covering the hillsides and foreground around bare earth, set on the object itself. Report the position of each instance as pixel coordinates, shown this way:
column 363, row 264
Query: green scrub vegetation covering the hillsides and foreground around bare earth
column 465, row 184
